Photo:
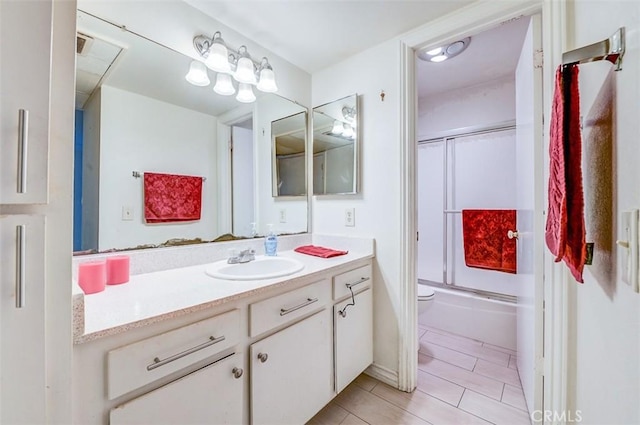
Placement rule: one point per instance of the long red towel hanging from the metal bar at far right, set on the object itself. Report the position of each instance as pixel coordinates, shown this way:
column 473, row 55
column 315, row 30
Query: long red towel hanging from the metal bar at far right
column 565, row 228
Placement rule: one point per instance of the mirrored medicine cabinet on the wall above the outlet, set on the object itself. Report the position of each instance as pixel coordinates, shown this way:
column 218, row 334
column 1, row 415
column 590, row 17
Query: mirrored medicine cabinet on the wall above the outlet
column 336, row 147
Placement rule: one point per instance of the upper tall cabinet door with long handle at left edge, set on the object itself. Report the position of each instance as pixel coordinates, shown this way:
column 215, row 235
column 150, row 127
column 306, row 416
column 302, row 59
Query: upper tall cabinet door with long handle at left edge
column 25, row 55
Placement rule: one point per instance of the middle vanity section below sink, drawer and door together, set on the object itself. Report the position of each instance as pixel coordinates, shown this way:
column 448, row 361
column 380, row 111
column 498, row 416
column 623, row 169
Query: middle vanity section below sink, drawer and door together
column 291, row 370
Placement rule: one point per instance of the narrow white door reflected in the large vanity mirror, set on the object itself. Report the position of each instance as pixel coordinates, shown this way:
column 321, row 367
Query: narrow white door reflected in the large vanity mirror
column 242, row 169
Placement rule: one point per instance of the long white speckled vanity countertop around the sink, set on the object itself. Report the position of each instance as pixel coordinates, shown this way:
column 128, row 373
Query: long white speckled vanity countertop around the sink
column 159, row 295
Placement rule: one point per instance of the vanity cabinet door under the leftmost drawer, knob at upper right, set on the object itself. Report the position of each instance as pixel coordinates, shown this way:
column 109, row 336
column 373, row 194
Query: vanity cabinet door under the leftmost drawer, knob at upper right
column 211, row 395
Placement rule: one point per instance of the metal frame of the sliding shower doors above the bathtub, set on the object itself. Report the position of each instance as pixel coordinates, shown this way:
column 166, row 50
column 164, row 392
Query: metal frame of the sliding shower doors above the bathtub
column 445, row 138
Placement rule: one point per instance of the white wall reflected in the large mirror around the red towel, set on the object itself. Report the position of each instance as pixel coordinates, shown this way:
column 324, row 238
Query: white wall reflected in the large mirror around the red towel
column 143, row 134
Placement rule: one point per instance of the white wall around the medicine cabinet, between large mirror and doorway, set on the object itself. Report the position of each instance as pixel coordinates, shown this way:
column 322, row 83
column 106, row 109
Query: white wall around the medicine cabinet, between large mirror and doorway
column 377, row 207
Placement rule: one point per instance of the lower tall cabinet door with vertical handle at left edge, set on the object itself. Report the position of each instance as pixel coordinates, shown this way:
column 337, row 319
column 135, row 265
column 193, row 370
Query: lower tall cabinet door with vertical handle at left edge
column 22, row 324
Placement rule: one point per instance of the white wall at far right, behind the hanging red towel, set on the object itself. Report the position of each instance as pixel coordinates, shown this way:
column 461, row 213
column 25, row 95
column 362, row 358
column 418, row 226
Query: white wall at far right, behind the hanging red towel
column 605, row 357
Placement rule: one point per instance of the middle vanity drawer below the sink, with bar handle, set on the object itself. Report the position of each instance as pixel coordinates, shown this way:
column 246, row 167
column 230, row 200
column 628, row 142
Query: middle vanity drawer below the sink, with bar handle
column 285, row 308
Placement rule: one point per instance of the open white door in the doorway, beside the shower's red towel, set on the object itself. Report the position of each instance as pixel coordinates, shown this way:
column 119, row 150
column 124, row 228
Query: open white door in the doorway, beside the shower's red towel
column 529, row 198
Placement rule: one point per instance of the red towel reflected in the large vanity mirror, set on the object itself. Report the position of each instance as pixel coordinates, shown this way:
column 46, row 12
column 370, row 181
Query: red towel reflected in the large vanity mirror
column 171, row 198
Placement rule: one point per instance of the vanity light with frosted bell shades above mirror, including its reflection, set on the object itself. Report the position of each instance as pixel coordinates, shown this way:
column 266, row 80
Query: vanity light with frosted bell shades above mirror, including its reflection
column 227, row 63
